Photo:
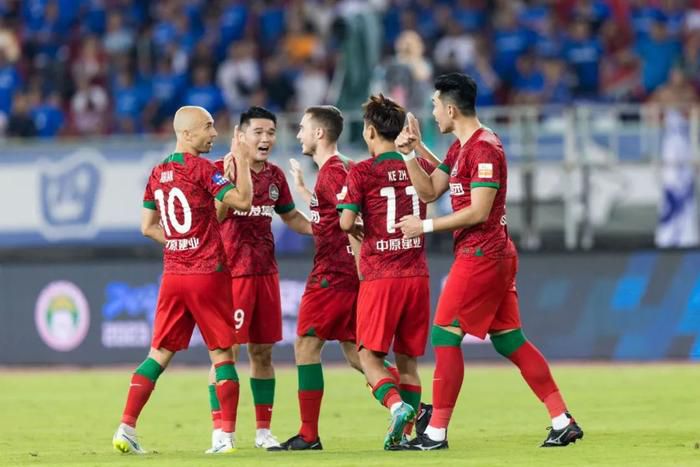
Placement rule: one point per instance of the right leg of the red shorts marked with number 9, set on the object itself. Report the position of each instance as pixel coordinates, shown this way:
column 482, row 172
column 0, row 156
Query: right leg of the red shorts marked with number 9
column 266, row 320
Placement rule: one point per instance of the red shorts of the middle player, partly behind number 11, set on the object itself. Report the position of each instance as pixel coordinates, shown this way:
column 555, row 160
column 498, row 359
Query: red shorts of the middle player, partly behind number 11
column 328, row 314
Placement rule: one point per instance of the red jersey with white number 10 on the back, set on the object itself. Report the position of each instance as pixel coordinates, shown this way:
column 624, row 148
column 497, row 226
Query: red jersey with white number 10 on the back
column 181, row 189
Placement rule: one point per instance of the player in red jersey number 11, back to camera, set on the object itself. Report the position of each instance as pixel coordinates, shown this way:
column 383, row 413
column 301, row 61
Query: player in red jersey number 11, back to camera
column 394, row 298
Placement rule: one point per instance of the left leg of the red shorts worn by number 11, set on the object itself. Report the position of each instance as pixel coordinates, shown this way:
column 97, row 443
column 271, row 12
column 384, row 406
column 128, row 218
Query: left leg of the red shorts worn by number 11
column 378, row 313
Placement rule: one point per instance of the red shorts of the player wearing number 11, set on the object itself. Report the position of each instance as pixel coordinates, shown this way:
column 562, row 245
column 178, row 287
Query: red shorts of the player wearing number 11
column 395, row 309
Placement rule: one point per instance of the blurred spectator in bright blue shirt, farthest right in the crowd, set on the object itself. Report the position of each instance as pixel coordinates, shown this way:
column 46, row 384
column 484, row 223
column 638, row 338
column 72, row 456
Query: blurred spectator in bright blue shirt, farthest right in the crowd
column 658, row 53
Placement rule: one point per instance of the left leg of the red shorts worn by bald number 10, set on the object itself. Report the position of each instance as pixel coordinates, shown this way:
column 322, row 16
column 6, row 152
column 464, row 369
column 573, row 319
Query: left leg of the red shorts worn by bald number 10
column 173, row 324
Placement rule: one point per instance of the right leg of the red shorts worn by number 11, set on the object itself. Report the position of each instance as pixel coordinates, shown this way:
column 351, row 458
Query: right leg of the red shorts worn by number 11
column 412, row 331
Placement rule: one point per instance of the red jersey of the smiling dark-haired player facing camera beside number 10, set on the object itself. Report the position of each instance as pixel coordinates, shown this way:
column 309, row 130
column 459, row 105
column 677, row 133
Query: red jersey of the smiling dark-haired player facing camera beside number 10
column 247, row 236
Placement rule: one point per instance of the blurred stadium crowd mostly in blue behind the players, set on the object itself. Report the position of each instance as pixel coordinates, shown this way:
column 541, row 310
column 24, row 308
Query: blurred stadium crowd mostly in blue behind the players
column 90, row 67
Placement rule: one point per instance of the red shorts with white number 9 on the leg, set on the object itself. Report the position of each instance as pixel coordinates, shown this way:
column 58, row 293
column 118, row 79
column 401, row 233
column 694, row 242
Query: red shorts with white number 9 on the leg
column 257, row 309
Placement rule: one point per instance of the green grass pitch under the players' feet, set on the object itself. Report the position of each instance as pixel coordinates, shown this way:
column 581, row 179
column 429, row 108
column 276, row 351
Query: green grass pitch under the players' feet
column 637, row 415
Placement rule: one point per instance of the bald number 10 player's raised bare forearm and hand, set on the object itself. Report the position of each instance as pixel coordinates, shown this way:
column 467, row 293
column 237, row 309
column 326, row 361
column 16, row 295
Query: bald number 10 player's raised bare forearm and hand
column 241, row 197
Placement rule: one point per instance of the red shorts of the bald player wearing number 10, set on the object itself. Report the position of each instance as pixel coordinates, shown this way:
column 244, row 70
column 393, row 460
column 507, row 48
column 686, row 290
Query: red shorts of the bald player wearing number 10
column 186, row 299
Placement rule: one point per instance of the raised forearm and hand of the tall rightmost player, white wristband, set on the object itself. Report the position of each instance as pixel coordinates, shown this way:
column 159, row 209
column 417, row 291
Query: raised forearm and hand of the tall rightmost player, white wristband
column 428, row 186
